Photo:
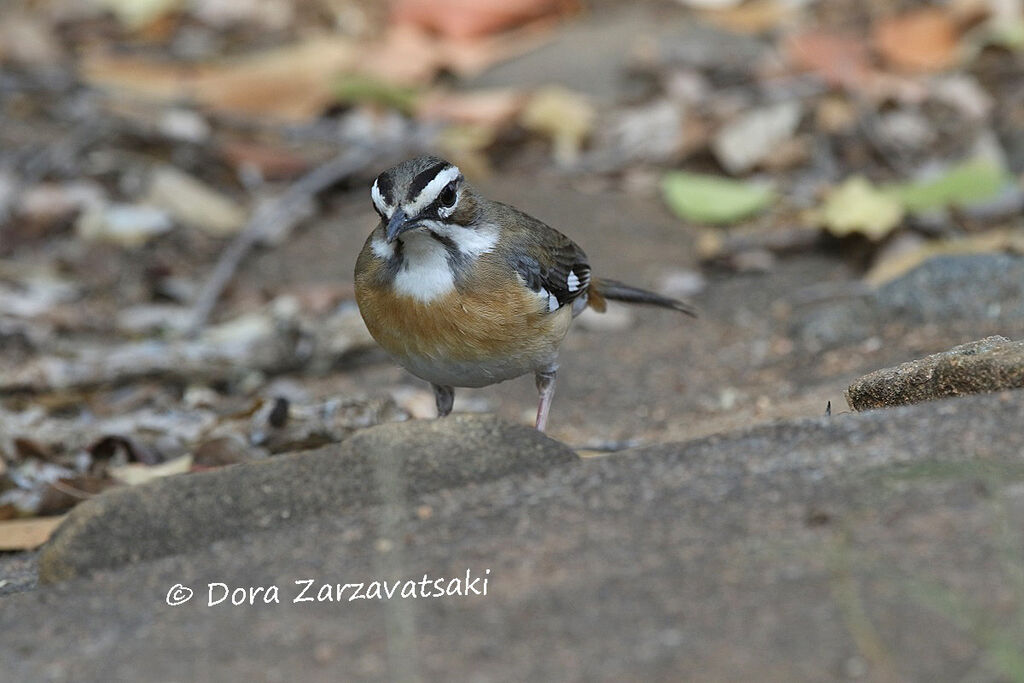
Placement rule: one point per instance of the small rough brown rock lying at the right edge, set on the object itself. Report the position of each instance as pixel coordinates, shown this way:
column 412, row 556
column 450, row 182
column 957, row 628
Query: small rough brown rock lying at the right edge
column 993, row 364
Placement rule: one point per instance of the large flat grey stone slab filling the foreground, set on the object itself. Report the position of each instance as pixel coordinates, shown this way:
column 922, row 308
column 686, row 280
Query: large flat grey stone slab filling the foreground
column 782, row 553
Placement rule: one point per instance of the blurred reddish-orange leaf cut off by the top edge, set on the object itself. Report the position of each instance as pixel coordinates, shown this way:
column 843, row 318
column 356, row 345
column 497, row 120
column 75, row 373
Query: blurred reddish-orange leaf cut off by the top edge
column 471, row 19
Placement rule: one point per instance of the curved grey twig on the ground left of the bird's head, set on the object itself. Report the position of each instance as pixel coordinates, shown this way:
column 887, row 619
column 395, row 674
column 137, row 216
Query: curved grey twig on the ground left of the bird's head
column 271, row 218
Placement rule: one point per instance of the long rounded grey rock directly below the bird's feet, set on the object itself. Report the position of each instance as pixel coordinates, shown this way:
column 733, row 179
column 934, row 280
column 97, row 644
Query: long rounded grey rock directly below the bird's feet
column 395, row 461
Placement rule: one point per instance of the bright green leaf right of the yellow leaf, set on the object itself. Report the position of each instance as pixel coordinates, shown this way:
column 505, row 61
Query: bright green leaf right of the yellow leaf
column 965, row 185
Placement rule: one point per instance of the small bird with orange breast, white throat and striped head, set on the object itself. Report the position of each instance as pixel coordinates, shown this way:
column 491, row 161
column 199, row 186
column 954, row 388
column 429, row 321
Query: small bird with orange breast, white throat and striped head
column 465, row 292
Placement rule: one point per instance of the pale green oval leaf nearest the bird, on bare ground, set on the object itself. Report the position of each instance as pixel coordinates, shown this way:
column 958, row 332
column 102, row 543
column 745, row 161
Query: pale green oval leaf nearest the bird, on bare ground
column 712, row 199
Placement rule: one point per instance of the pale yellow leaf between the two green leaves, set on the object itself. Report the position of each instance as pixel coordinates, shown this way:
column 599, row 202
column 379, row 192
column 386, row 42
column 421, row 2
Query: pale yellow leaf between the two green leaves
column 858, row 206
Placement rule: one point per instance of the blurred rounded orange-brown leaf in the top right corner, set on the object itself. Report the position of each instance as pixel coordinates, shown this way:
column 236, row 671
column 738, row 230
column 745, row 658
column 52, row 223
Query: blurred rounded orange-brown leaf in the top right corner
column 920, row 40
